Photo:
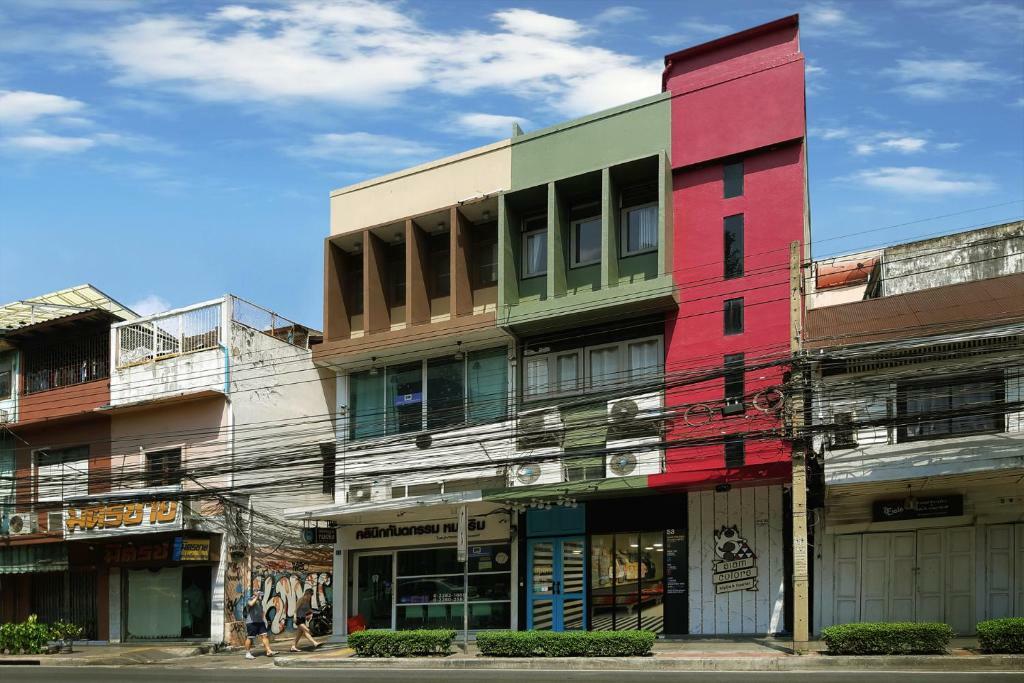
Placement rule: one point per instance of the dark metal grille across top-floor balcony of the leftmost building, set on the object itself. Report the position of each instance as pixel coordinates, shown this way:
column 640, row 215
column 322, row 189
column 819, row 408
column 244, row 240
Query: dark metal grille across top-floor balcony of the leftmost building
column 75, row 361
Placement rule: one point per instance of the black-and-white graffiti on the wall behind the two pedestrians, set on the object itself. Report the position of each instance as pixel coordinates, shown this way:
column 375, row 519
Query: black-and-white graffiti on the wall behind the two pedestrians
column 283, row 585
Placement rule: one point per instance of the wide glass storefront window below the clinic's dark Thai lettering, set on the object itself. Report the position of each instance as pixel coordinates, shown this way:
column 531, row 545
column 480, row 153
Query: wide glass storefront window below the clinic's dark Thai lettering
column 434, row 589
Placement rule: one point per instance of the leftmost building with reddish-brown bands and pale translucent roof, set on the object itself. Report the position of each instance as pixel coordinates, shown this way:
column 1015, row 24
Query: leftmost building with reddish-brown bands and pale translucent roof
column 55, row 373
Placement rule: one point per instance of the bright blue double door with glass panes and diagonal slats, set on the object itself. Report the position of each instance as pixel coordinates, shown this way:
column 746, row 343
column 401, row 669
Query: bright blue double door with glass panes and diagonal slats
column 558, row 588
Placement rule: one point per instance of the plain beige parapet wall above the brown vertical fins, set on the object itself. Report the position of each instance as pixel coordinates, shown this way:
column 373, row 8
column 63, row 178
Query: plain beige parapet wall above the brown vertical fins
column 435, row 186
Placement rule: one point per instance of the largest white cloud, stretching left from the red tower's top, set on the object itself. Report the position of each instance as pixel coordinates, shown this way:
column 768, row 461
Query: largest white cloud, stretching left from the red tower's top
column 369, row 55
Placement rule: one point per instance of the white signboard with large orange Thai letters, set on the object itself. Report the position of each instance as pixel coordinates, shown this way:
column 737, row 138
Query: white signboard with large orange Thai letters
column 120, row 519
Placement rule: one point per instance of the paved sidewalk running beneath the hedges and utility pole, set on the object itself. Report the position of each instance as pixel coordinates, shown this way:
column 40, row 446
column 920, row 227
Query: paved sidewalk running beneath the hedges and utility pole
column 688, row 656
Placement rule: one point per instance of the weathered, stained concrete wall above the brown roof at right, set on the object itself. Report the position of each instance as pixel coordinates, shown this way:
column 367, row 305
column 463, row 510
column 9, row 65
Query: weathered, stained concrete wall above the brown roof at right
column 991, row 252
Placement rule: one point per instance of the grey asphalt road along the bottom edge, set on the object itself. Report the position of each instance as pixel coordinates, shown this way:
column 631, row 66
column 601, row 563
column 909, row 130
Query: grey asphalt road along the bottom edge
column 246, row 674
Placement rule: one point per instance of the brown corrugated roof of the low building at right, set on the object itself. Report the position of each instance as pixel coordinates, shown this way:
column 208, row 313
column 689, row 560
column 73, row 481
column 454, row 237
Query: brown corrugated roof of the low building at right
column 928, row 313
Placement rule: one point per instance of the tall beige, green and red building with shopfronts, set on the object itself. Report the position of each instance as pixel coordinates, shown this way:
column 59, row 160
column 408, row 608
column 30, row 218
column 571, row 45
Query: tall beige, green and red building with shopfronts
column 535, row 332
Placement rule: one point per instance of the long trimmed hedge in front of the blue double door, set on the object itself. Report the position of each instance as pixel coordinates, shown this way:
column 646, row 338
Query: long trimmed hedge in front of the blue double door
column 566, row 645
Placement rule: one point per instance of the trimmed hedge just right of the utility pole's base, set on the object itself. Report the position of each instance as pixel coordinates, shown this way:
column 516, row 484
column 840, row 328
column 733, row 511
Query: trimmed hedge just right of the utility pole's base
column 888, row 638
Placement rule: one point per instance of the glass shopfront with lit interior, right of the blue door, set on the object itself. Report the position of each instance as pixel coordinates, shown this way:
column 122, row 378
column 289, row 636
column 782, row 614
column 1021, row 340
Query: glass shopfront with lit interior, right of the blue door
column 627, row 582
